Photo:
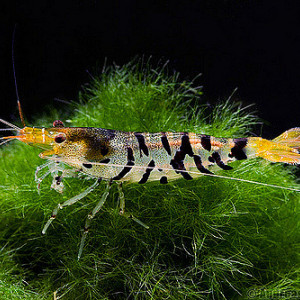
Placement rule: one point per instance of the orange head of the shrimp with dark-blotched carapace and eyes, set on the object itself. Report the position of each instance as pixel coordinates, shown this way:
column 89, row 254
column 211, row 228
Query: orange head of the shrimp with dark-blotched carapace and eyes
column 80, row 143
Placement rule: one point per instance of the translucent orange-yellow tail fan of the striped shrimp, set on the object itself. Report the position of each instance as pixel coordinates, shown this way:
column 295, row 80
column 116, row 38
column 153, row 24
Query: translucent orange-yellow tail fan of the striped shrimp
column 285, row 148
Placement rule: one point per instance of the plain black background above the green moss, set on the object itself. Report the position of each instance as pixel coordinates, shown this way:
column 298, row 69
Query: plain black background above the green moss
column 252, row 45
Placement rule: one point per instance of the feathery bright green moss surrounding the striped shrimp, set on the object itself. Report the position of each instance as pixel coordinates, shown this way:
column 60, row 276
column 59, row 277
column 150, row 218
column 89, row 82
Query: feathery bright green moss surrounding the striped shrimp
column 209, row 238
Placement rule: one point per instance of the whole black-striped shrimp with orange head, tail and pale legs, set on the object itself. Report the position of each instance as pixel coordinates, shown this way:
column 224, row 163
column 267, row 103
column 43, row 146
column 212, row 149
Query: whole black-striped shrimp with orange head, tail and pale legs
column 117, row 156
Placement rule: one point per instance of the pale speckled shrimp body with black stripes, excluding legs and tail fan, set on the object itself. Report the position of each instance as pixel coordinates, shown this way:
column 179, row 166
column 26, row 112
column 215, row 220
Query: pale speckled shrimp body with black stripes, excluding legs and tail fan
column 139, row 157
